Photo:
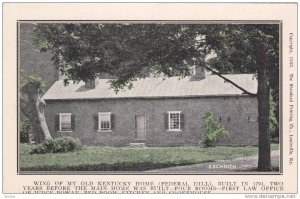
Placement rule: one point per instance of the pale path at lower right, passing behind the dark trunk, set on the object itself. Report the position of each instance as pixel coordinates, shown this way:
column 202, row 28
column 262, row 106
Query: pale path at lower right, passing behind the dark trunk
column 244, row 164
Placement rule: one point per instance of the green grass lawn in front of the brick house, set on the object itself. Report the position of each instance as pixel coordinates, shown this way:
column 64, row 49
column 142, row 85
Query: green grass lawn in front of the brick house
column 128, row 159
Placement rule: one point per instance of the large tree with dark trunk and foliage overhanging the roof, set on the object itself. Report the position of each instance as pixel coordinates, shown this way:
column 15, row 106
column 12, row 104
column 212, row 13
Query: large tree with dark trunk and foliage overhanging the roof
column 127, row 51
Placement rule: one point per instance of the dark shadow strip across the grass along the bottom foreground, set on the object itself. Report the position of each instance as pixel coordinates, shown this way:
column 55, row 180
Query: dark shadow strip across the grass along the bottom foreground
column 122, row 166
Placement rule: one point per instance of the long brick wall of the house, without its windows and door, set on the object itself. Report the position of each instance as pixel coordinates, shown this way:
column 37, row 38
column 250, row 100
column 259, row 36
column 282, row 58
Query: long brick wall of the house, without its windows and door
column 242, row 131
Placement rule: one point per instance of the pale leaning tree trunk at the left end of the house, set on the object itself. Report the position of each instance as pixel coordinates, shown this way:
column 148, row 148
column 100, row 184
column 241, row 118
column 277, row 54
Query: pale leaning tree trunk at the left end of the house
column 33, row 109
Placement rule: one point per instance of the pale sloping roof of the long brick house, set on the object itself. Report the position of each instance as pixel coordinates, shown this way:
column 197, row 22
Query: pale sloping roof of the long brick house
column 212, row 85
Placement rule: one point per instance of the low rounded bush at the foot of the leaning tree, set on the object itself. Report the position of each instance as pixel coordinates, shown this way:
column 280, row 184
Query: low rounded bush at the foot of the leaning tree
column 58, row 145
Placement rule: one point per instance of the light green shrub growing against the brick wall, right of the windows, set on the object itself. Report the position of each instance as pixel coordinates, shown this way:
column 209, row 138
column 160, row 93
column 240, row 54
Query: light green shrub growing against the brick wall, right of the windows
column 212, row 129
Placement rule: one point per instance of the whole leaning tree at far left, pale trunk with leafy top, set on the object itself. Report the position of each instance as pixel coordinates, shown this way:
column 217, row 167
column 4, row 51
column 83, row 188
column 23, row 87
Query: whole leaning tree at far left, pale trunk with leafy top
column 32, row 106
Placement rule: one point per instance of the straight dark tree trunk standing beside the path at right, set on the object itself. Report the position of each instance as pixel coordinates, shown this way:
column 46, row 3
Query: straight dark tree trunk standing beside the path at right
column 264, row 156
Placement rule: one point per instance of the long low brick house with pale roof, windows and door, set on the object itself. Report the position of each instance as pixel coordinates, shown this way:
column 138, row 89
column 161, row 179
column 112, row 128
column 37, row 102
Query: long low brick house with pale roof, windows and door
column 156, row 111
